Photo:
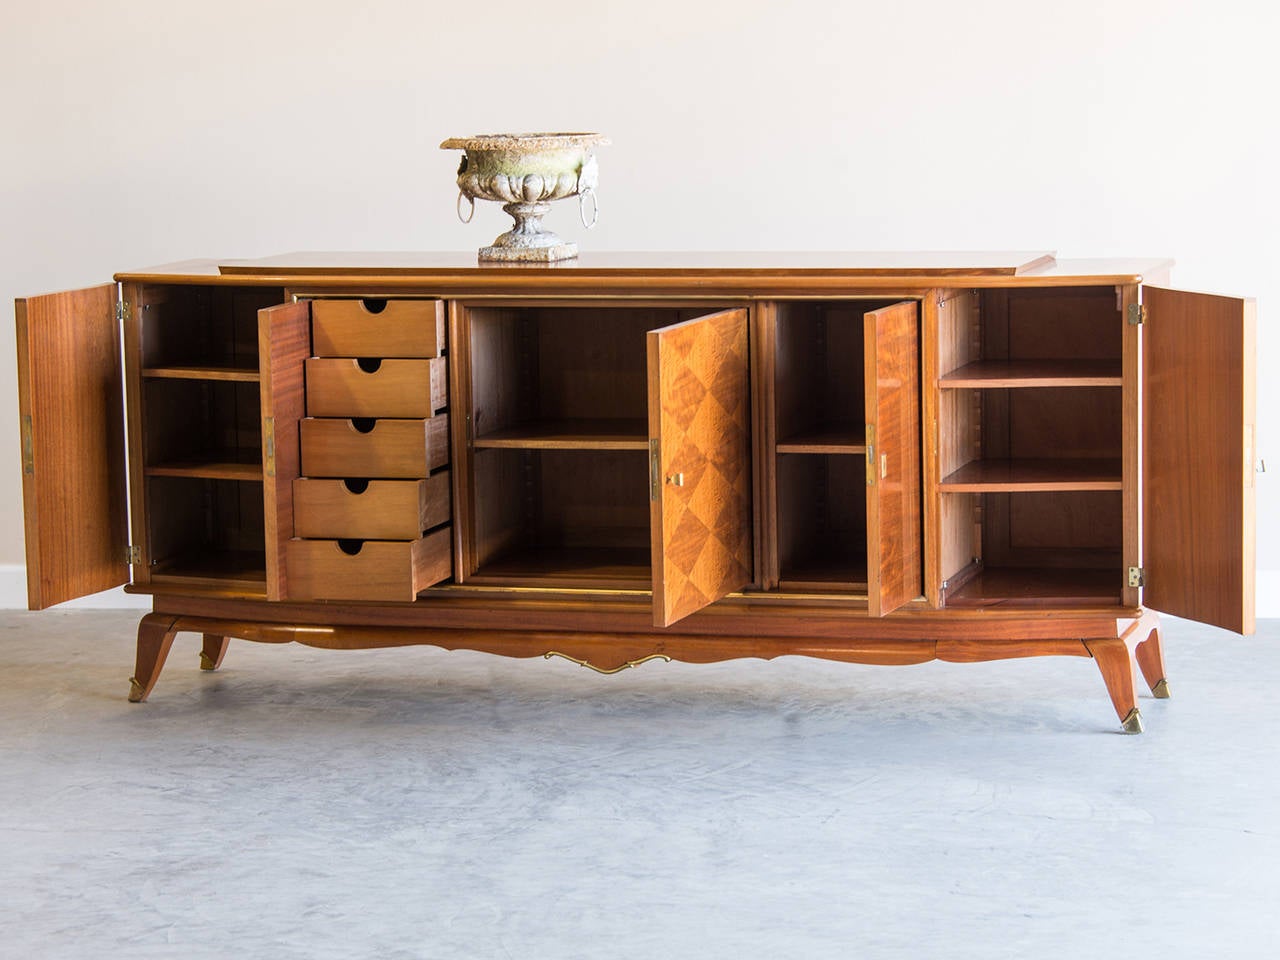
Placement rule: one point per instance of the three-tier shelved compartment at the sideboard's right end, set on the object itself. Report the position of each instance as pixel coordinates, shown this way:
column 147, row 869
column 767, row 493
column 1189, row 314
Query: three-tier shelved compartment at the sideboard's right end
column 1031, row 446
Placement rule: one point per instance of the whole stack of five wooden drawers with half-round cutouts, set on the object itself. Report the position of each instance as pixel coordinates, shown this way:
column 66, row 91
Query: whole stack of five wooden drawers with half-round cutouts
column 372, row 509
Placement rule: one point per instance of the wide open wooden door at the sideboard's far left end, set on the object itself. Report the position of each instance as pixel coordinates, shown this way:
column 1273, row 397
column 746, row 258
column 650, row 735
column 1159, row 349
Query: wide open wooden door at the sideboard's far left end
column 71, row 403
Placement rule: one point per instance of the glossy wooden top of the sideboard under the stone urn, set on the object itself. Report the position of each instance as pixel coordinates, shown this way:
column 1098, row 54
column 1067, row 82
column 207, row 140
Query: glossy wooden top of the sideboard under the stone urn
column 743, row 271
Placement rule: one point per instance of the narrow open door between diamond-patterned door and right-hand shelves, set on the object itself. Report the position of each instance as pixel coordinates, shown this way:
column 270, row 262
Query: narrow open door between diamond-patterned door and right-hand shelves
column 893, row 378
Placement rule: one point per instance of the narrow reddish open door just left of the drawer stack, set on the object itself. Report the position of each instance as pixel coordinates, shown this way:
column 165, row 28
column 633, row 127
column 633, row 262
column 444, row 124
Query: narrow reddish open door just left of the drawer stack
column 284, row 348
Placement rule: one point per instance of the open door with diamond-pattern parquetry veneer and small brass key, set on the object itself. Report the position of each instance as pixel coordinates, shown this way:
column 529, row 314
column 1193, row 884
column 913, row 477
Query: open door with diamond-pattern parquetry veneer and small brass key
column 701, row 463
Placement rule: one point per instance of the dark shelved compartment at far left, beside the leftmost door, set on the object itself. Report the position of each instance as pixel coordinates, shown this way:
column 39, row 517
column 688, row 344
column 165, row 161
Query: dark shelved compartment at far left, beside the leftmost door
column 199, row 404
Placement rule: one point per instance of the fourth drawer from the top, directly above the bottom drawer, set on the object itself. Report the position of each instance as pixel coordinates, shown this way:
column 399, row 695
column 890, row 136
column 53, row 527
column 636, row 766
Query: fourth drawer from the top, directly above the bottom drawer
column 378, row 510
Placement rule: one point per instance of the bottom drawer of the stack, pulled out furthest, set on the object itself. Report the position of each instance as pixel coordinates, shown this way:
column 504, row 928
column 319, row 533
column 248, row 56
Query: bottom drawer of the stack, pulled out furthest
column 369, row 570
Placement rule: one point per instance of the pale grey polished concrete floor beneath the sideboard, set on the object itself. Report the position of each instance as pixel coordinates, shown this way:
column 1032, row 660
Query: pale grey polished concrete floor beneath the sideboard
column 426, row 804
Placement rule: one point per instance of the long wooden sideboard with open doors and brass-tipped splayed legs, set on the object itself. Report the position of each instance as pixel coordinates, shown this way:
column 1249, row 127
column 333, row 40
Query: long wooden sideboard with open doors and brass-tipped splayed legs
column 877, row 459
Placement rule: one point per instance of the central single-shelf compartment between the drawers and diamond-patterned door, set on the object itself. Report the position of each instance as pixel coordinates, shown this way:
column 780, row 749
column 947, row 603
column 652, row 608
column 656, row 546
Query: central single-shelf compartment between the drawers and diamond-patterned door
column 560, row 423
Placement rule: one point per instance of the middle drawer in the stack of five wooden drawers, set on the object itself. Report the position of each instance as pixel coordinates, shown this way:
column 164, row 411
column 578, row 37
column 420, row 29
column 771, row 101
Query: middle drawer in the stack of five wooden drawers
column 392, row 450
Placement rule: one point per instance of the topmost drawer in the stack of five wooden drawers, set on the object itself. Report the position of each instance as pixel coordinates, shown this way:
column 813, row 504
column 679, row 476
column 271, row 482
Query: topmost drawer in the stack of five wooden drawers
column 400, row 328
